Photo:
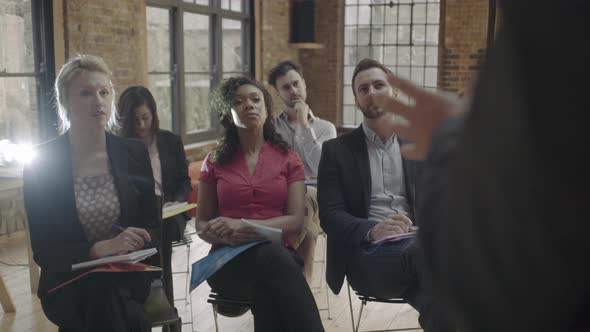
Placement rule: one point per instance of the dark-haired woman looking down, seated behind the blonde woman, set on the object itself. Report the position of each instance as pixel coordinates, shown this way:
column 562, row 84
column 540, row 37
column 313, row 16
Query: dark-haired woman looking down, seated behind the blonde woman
column 139, row 116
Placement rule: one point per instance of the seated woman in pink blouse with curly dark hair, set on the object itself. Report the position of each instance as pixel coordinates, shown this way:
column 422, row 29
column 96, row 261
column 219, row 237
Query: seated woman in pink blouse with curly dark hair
column 252, row 174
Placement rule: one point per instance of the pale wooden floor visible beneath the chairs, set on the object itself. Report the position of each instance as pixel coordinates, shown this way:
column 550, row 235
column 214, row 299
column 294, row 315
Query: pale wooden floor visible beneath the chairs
column 30, row 317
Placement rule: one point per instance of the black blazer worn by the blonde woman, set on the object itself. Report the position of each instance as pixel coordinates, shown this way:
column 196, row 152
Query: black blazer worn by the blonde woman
column 57, row 237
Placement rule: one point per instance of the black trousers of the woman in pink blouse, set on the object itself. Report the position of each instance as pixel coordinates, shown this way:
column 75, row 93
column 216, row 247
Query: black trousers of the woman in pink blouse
column 272, row 276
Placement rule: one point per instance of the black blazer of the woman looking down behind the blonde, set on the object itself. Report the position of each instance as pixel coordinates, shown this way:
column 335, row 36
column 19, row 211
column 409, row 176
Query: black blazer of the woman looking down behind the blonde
column 176, row 184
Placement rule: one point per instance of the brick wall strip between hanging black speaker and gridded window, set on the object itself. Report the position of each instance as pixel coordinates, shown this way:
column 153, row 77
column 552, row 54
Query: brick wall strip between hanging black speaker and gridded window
column 322, row 68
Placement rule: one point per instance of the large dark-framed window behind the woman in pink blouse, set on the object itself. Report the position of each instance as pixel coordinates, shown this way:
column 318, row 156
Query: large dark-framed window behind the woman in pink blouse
column 192, row 46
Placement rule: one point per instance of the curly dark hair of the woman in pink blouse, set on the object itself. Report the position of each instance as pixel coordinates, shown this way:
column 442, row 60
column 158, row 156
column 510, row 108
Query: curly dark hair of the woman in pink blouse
column 221, row 103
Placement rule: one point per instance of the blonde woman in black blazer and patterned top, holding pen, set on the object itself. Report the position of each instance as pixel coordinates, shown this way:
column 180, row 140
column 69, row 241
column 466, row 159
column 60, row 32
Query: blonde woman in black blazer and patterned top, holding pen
column 80, row 184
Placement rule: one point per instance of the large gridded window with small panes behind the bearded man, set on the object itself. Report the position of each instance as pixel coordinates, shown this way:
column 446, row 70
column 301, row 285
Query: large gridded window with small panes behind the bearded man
column 401, row 34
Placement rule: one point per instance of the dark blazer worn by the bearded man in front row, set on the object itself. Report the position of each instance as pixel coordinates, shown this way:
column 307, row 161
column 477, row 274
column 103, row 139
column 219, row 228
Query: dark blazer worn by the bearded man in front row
column 344, row 196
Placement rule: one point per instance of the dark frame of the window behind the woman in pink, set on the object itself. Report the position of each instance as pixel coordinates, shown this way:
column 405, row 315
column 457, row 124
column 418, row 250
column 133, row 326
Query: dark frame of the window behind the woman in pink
column 216, row 14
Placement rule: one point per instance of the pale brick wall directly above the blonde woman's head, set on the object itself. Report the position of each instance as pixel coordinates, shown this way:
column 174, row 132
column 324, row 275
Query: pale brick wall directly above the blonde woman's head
column 112, row 29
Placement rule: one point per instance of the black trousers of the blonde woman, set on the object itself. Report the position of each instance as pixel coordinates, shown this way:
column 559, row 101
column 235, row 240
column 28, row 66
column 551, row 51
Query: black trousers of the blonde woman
column 100, row 302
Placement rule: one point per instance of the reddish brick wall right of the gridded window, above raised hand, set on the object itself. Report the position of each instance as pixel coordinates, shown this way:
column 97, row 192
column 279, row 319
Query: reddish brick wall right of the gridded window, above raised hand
column 464, row 26
